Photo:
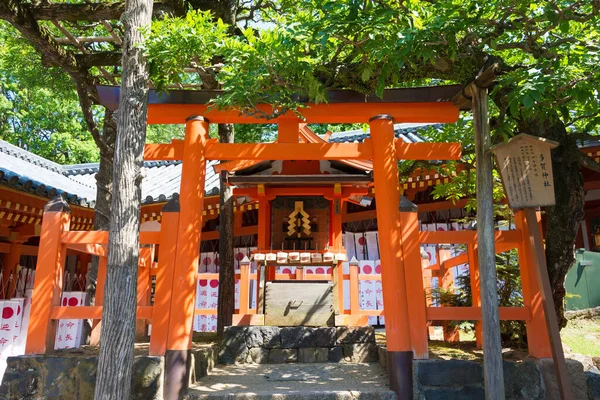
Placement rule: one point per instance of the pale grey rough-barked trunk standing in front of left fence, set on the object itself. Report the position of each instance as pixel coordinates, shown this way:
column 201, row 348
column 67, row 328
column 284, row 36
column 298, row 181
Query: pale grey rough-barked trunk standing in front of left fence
column 119, row 313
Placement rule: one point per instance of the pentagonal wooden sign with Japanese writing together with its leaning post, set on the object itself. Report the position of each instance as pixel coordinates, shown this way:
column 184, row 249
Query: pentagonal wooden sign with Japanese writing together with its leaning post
column 526, row 169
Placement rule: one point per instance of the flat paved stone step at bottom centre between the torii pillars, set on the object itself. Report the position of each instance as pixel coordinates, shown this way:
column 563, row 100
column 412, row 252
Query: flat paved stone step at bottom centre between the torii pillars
column 333, row 381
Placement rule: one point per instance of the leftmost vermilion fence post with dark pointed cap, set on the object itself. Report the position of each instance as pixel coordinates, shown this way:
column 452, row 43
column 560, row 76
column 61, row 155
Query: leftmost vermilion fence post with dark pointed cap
column 47, row 287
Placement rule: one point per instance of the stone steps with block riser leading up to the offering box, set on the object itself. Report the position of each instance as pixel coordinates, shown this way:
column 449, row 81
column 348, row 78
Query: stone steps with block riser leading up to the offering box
column 264, row 363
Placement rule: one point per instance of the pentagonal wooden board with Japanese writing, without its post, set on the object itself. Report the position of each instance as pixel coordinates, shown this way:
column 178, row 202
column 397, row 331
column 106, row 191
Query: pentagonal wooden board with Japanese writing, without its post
column 526, row 169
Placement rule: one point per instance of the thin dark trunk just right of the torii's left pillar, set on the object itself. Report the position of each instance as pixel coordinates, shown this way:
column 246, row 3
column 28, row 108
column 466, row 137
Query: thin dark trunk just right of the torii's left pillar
column 226, row 305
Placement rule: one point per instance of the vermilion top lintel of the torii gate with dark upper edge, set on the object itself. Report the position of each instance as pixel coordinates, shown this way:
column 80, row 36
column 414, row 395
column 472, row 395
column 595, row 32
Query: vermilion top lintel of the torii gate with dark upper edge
column 418, row 105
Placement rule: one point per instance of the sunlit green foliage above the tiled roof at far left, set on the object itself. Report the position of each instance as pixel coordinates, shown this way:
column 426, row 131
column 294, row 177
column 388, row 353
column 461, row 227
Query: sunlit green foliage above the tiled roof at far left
column 39, row 109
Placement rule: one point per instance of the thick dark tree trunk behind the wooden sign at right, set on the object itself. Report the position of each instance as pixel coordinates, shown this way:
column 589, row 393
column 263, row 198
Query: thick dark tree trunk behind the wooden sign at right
column 562, row 220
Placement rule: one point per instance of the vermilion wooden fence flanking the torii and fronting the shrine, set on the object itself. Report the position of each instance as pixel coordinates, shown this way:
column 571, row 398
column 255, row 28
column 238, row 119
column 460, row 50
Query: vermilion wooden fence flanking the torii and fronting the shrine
column 56, row 236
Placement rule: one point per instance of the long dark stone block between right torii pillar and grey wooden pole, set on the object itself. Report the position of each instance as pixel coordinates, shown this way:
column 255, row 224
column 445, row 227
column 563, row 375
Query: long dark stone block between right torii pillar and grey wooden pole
column 449, row 373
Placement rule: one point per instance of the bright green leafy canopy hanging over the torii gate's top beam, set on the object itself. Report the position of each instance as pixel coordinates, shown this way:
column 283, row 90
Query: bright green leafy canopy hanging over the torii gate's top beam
column 548, row 51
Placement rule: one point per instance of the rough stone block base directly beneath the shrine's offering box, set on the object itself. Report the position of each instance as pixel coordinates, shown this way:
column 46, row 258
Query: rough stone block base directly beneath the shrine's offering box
column 274, row 345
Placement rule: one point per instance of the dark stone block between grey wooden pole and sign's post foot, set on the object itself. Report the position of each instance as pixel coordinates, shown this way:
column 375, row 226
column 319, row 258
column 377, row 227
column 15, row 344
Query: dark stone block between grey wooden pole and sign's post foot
column 523, row 381
